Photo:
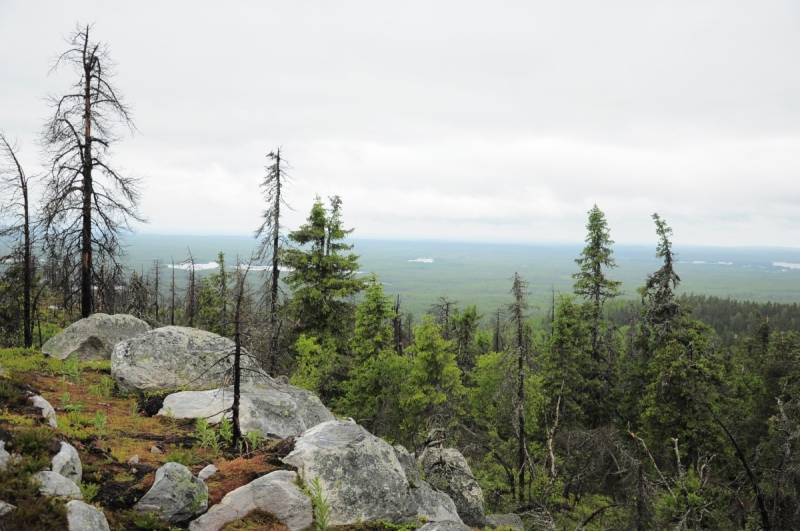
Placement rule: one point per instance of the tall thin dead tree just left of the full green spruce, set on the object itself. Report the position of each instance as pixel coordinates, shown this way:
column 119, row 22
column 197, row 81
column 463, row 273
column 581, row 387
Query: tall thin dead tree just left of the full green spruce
column 271, row 244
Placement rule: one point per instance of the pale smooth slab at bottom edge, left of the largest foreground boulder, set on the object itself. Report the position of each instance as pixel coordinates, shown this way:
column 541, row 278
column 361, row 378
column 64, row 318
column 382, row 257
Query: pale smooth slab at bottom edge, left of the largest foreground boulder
column 276, row 493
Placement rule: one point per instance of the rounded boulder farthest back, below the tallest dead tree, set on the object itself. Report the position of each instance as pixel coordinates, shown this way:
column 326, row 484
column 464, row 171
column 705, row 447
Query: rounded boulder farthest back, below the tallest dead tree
column 94, row 337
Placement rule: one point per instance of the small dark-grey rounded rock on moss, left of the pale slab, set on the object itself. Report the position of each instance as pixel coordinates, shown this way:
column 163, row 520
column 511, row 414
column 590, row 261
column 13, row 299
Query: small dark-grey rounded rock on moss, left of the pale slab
column 176, row 495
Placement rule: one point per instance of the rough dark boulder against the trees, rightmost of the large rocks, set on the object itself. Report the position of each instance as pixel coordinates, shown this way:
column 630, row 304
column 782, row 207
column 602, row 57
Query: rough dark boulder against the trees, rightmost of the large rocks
column 447, row 470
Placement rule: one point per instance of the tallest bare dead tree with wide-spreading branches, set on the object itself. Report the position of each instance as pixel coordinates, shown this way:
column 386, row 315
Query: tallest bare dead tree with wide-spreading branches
column 87, row 203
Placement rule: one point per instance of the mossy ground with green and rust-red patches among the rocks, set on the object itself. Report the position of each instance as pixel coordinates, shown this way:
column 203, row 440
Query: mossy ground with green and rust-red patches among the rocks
column 107, row 429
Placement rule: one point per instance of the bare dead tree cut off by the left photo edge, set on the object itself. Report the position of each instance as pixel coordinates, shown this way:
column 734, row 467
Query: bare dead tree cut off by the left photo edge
column 15, row 208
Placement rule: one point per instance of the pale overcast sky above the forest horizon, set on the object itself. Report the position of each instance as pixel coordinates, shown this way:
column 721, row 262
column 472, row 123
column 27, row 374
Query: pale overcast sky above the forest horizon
column 483, row 121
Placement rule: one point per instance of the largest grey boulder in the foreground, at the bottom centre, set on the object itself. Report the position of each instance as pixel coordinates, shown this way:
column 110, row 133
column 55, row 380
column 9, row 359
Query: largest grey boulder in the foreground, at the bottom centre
column 358, row 473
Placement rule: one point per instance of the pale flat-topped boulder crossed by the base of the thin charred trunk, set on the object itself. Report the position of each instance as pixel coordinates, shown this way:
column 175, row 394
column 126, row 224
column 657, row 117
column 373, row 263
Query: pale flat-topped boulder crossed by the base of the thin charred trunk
column 276, row 410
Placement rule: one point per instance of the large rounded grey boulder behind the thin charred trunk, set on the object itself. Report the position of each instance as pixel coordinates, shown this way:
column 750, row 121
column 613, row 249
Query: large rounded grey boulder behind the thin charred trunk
column 176, row 357
